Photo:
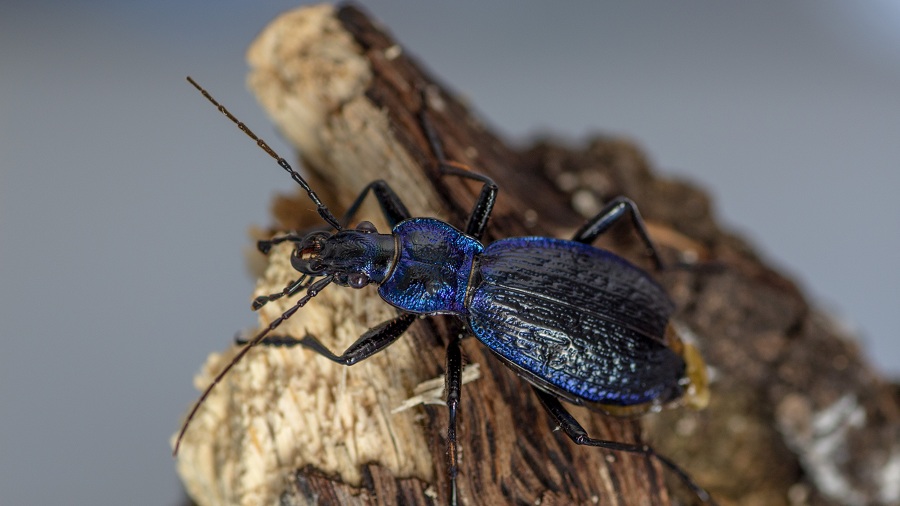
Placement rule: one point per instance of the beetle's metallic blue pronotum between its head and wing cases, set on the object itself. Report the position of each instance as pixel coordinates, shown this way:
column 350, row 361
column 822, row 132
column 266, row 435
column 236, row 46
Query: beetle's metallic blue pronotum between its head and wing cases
column 432, row 270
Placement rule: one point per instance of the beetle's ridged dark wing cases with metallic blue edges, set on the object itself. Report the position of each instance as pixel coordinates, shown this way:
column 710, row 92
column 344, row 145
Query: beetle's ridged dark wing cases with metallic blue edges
column 576, row 319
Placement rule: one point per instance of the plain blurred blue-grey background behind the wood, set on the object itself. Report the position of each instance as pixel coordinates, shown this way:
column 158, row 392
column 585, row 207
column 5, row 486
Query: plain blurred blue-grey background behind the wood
column 125, row 200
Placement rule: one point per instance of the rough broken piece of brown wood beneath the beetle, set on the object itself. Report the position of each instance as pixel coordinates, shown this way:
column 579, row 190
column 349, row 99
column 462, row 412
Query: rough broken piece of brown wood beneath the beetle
column 287, row 425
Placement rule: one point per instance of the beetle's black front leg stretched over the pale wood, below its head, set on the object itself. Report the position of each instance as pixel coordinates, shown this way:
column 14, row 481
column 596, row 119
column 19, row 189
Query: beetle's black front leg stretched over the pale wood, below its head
column 374, row 340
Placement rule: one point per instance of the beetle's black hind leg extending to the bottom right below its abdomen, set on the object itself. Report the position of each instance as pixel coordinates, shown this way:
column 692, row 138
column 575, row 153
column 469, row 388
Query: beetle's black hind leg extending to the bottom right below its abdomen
column 579, row 436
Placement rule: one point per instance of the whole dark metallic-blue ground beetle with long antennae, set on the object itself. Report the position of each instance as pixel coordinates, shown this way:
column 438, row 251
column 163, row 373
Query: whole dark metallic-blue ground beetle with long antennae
column 579, row 323
